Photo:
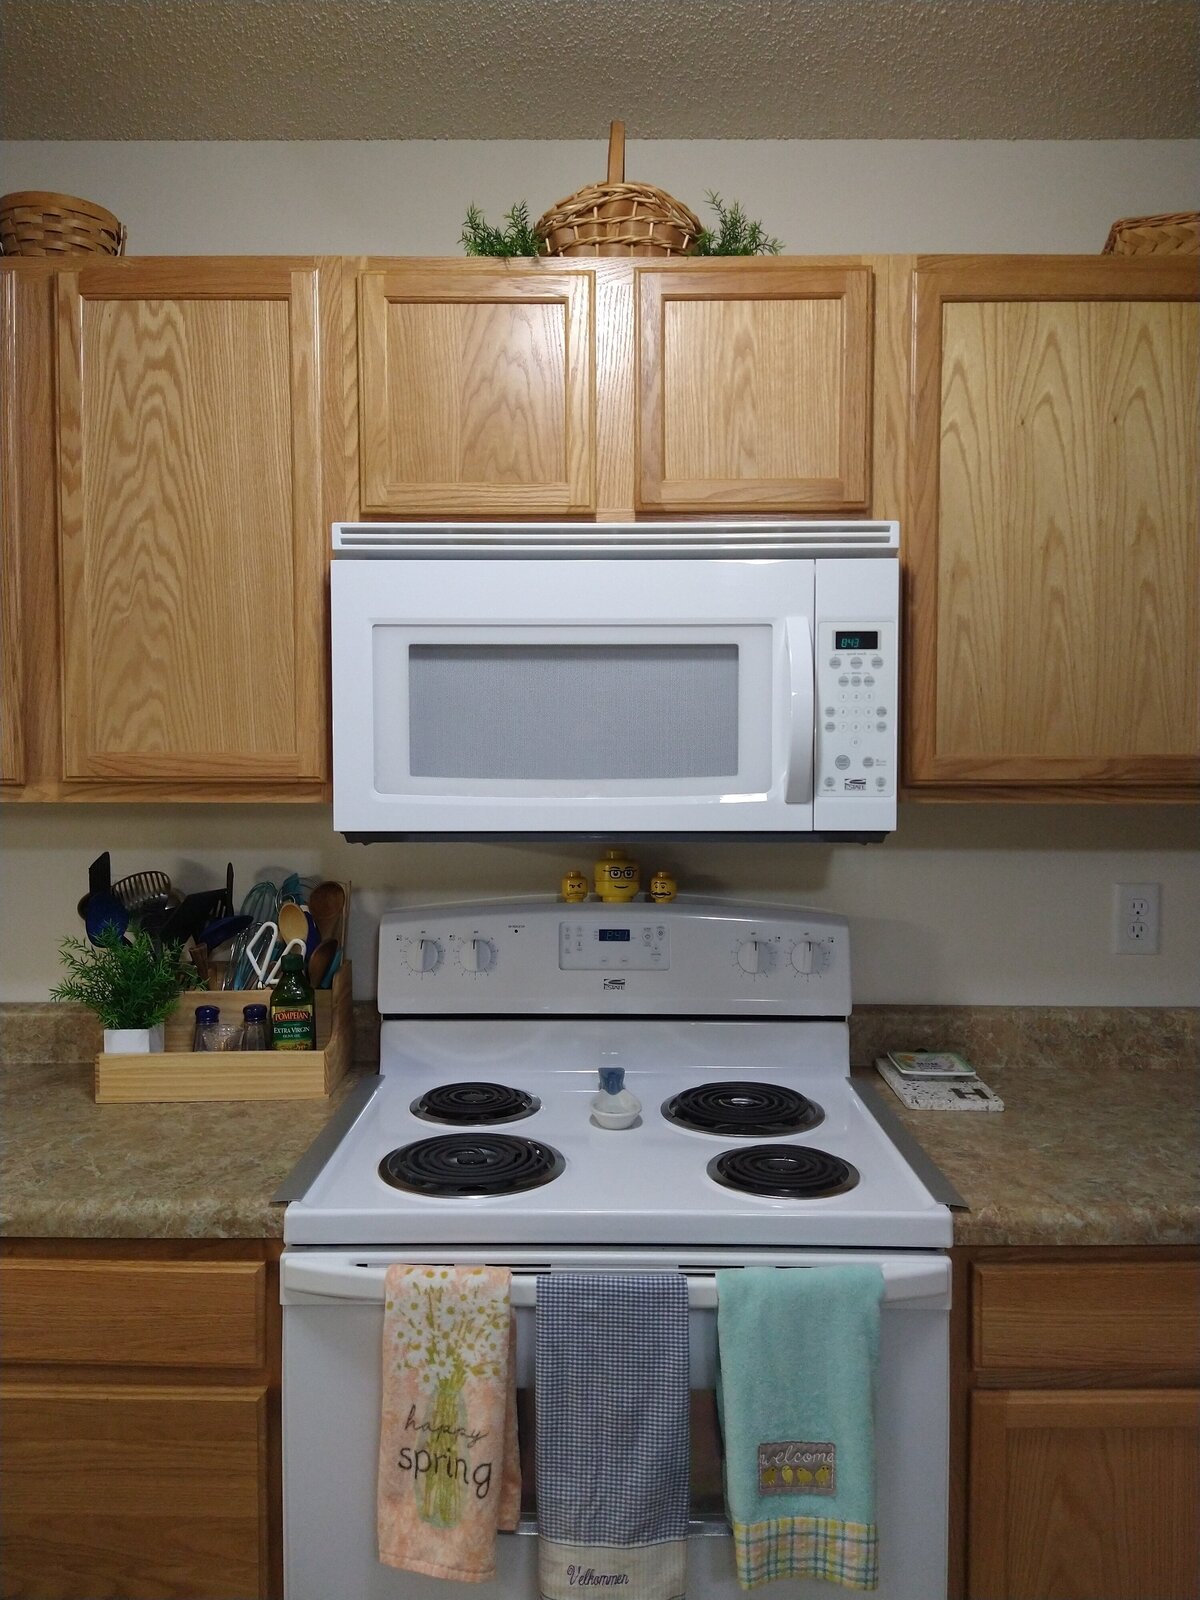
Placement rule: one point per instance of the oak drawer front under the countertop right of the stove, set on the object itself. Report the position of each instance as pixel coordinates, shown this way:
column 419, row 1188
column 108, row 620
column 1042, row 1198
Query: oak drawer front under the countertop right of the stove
column 1097, row 1316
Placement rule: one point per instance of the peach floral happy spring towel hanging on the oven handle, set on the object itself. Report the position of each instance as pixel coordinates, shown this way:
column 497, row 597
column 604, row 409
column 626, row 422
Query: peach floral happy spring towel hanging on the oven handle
column 449, row 1460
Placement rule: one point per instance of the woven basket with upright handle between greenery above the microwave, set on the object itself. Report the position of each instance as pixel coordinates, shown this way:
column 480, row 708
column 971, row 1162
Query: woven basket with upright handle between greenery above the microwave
column 617, row 218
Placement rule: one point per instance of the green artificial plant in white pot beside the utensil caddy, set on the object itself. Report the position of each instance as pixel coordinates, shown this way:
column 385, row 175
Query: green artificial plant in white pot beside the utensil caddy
column 130, row 983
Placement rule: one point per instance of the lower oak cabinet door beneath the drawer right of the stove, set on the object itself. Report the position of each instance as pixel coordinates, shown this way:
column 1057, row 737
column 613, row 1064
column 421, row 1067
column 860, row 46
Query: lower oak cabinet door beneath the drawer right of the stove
column 1084, row 1497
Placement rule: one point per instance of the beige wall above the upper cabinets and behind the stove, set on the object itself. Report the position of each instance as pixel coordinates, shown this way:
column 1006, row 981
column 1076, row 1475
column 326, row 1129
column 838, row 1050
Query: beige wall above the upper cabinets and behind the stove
column 982, row 905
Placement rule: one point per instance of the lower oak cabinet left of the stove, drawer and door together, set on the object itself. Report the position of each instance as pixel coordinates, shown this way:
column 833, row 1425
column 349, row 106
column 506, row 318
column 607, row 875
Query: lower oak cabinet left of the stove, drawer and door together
column 140, row 1422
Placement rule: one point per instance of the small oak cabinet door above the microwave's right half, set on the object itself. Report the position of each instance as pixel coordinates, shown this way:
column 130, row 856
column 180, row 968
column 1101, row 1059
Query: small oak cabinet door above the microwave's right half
column 754, row 388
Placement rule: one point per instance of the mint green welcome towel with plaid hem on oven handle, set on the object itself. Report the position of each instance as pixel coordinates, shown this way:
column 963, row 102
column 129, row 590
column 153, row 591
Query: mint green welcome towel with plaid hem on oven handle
column 796, row 1390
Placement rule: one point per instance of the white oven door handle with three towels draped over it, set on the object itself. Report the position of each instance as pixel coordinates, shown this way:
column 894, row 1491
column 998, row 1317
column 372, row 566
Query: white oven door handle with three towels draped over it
column 306, row 1281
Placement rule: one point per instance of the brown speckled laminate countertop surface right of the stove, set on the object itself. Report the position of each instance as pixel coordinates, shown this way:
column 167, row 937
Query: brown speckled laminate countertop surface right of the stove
column 1079, row 1156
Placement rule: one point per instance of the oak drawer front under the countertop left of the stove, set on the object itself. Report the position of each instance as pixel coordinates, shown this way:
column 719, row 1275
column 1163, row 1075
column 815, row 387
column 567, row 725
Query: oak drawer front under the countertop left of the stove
column 134, row 1314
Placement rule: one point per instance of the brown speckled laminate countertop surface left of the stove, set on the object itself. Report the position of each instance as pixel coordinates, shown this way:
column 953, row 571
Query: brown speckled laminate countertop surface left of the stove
column 71, row 1169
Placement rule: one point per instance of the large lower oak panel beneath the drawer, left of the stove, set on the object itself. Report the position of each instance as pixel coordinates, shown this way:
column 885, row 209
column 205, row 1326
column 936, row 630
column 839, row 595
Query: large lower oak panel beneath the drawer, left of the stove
column 134, row 1492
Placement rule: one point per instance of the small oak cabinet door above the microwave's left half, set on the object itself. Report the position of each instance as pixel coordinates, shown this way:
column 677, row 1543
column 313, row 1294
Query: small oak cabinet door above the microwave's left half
column 476, row 391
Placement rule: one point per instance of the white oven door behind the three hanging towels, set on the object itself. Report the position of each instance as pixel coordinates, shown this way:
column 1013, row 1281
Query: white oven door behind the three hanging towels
column 332, row 1394
